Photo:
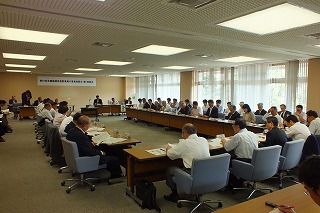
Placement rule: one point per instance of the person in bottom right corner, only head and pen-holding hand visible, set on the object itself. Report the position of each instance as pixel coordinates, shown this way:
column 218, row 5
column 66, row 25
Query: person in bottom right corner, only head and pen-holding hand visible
column 309, row 176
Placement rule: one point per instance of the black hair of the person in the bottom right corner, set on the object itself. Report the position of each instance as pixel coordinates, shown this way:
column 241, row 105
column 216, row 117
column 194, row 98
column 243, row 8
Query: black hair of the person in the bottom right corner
column 309, row 172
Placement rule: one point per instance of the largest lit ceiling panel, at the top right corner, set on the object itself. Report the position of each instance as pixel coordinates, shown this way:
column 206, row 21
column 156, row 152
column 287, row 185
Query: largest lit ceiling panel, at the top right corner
column 274, row 19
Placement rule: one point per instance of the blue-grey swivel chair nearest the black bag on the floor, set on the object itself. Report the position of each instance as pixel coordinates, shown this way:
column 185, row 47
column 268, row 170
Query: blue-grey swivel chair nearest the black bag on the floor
column 207, row 175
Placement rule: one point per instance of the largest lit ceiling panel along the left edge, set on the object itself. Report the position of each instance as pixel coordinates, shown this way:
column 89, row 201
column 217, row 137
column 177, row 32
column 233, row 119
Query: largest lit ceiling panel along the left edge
column 14, row 34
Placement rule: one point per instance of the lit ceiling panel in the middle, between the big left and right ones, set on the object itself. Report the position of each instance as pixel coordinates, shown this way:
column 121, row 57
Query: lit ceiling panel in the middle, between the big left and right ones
column 160, row 50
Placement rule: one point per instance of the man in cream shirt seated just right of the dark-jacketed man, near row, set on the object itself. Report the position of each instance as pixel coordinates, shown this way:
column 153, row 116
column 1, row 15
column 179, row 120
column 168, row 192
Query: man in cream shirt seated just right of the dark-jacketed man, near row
column 296, row 130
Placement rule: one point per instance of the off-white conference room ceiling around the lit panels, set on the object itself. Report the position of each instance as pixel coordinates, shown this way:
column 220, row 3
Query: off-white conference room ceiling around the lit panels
column 126, row 25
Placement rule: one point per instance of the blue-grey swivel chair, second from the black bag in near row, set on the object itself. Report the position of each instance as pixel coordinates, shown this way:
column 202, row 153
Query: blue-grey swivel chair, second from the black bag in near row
column 264, row 165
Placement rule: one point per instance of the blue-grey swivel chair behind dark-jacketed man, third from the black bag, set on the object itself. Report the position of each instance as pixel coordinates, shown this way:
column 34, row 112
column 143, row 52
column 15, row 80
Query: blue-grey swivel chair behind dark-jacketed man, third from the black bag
column 290, row 157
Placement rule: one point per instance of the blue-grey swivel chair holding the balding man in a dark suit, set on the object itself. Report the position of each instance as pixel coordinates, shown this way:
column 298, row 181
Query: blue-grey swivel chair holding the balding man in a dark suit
column 80, row 165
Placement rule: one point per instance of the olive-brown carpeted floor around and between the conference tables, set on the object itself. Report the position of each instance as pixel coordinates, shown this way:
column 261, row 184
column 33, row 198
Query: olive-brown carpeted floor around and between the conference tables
column 30, row 184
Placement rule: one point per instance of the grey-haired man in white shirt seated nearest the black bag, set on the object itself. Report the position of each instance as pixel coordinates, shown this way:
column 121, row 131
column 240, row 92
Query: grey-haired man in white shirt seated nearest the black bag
column 190, row 147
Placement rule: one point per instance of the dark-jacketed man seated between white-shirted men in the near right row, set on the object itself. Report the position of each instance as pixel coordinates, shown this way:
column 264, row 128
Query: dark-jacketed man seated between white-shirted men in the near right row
column 275, row 136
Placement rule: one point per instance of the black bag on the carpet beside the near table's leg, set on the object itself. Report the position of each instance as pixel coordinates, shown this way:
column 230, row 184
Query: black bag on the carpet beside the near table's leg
column 146, row 192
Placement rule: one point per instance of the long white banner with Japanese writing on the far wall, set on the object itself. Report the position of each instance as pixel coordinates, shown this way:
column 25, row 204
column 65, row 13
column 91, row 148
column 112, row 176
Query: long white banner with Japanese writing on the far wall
column 66, row 81
